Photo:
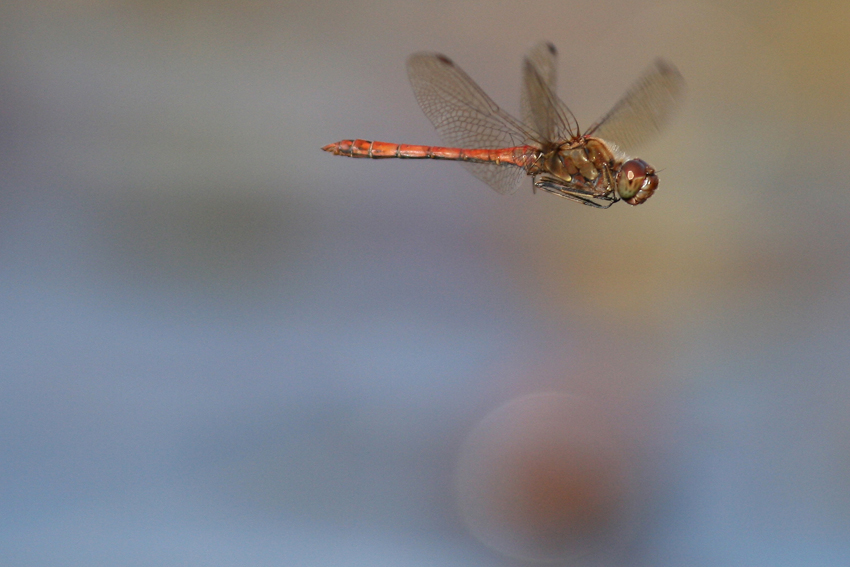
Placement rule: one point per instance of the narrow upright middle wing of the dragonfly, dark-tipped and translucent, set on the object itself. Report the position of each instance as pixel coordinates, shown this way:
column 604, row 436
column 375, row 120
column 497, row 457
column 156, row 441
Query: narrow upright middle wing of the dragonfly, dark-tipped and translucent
column 541, row 107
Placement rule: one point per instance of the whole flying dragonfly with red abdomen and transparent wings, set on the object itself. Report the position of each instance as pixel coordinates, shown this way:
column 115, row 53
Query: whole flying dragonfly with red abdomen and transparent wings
column 590, row 168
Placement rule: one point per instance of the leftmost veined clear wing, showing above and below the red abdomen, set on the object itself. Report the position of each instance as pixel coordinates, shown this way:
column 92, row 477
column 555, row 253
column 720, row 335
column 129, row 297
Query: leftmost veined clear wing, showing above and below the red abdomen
column 466, row 117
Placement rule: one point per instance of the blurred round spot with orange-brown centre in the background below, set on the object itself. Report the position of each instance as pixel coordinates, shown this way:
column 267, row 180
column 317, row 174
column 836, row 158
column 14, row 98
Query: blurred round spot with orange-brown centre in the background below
column 544, row 478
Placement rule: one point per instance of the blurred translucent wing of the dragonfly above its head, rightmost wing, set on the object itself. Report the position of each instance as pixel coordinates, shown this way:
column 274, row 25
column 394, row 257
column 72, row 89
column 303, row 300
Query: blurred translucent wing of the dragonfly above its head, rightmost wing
column 644, row 110
